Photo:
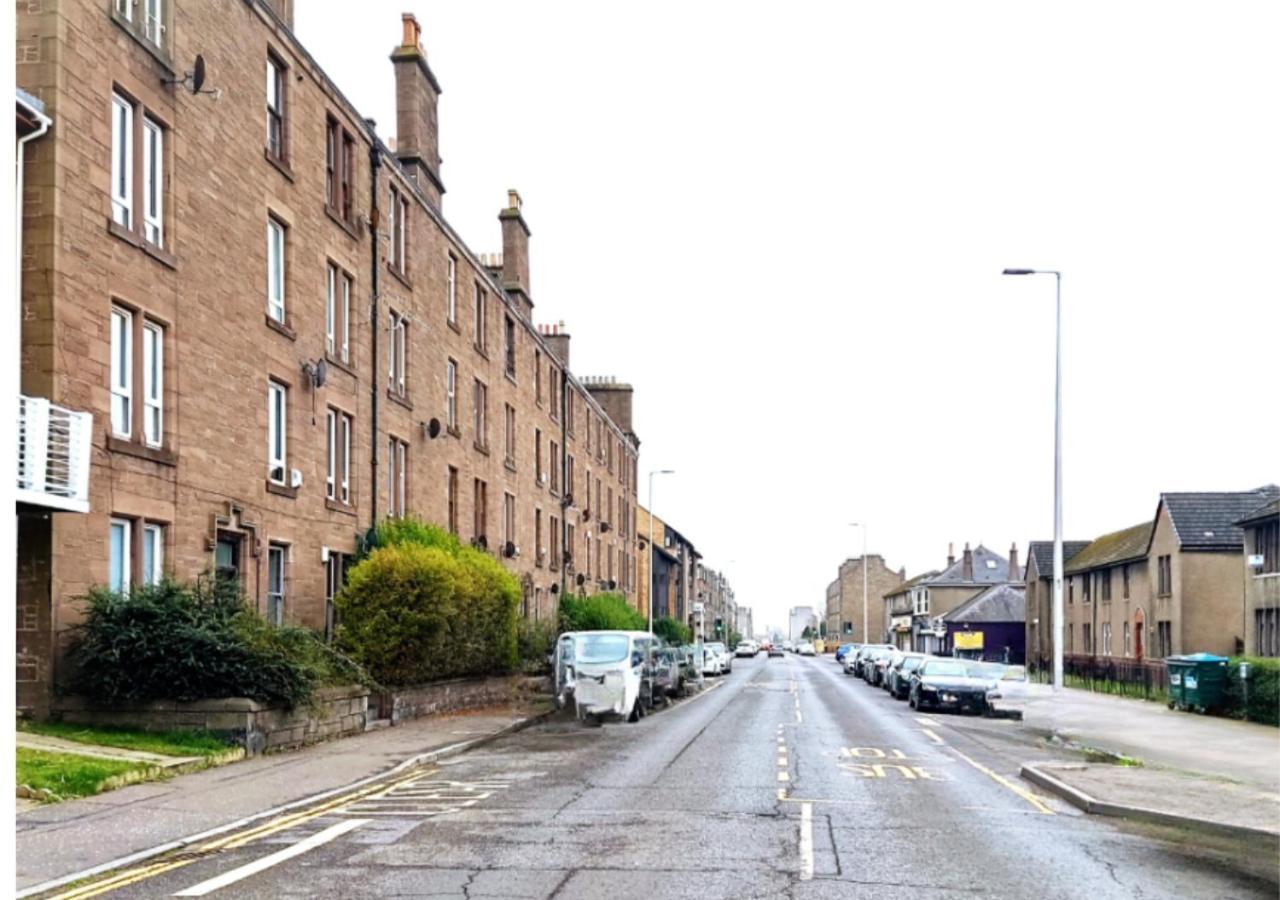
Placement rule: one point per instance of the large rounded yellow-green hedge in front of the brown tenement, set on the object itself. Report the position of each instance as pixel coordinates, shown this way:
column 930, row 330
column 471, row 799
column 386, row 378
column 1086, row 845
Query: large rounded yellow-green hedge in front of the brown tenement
column 422, row 607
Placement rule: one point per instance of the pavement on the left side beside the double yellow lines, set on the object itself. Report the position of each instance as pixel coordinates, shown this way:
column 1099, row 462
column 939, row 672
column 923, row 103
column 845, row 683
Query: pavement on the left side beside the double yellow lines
column 54, row 842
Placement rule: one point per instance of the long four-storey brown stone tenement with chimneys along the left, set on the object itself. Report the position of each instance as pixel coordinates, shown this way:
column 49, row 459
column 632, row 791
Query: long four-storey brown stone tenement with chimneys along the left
column 277, row 332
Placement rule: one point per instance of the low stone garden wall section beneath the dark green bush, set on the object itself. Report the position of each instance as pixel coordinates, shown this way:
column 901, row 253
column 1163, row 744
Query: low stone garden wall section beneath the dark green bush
column 335, row 712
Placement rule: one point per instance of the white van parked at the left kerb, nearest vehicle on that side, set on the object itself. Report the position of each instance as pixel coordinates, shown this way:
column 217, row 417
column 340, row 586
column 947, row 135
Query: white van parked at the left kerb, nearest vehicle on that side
column 607, row 674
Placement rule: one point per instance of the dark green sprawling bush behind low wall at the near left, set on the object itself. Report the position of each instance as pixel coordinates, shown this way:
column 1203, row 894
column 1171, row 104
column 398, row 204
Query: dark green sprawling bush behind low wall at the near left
column 175, row 642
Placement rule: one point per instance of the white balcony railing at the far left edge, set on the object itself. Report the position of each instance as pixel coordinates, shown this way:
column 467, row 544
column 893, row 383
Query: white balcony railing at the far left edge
column 54, row 447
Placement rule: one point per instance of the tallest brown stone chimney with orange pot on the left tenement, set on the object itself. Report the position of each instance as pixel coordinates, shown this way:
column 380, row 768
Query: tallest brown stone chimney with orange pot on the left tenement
column 418, row 134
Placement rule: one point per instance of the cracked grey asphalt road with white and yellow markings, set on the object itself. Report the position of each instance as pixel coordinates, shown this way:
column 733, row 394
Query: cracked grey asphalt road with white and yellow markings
column 788, row 779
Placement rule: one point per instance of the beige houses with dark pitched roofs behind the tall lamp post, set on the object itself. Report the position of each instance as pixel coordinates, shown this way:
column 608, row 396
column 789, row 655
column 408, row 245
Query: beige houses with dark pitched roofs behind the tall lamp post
column 1174, row 584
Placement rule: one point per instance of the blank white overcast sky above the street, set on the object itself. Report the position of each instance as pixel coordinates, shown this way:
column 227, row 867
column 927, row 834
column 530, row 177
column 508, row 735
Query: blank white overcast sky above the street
column 785, row 225
